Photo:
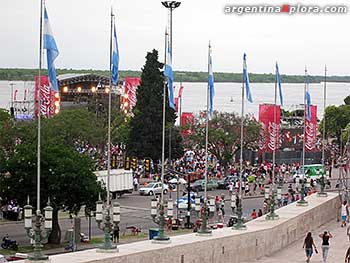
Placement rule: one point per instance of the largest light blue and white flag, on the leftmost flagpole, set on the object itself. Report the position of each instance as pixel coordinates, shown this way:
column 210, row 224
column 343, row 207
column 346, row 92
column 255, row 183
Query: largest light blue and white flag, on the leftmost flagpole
column 51, row 51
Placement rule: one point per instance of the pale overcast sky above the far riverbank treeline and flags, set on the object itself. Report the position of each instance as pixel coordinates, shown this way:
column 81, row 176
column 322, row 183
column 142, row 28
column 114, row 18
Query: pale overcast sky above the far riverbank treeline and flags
column 81, row 29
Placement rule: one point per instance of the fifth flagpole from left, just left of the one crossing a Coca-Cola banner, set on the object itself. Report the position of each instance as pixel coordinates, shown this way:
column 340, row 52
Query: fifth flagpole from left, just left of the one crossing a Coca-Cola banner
column 240, row 224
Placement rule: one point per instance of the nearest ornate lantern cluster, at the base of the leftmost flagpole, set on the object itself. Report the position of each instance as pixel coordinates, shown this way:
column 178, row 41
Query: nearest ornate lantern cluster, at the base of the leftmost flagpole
column 39, row 235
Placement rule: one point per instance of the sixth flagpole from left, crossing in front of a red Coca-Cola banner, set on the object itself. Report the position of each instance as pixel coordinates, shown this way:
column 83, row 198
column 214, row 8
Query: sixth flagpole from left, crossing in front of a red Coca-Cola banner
column 273, row 215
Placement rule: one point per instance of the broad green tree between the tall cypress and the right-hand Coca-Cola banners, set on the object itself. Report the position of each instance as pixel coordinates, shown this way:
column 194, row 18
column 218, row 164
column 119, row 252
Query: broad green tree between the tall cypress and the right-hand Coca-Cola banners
column 224, row 135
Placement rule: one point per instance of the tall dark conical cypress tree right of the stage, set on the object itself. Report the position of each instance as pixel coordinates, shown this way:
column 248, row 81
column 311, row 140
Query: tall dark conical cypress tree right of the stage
column 146, row 127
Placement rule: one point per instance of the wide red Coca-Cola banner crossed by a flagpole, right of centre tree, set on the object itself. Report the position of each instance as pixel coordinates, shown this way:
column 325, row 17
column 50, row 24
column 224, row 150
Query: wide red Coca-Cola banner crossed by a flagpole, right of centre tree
column 270, row 132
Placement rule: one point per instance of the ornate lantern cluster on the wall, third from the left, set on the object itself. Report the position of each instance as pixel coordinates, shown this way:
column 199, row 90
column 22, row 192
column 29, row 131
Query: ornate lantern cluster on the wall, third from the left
column 159, row 208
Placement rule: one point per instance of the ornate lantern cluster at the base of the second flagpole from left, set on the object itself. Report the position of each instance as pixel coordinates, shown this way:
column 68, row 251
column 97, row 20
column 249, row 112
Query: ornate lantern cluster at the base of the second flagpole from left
column 105, row 214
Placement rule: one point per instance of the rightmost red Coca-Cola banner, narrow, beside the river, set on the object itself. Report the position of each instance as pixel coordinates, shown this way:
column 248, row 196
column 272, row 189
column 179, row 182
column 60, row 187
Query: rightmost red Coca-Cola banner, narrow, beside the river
column 310, row 130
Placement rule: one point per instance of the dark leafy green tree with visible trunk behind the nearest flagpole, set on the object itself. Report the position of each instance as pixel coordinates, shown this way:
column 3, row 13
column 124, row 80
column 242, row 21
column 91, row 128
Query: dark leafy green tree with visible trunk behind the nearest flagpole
column 67, row 178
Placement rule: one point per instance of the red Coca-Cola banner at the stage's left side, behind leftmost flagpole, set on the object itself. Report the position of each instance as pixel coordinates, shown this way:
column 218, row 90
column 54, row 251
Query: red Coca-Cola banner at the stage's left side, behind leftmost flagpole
column 47, row 97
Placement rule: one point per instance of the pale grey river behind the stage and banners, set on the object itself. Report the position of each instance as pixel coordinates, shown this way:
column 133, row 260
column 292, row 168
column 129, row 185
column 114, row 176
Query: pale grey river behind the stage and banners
column 227, row 95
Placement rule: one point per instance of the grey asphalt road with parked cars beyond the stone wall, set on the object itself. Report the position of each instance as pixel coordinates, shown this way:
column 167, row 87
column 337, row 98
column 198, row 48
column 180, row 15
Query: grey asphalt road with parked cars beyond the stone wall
column 135, row 210
